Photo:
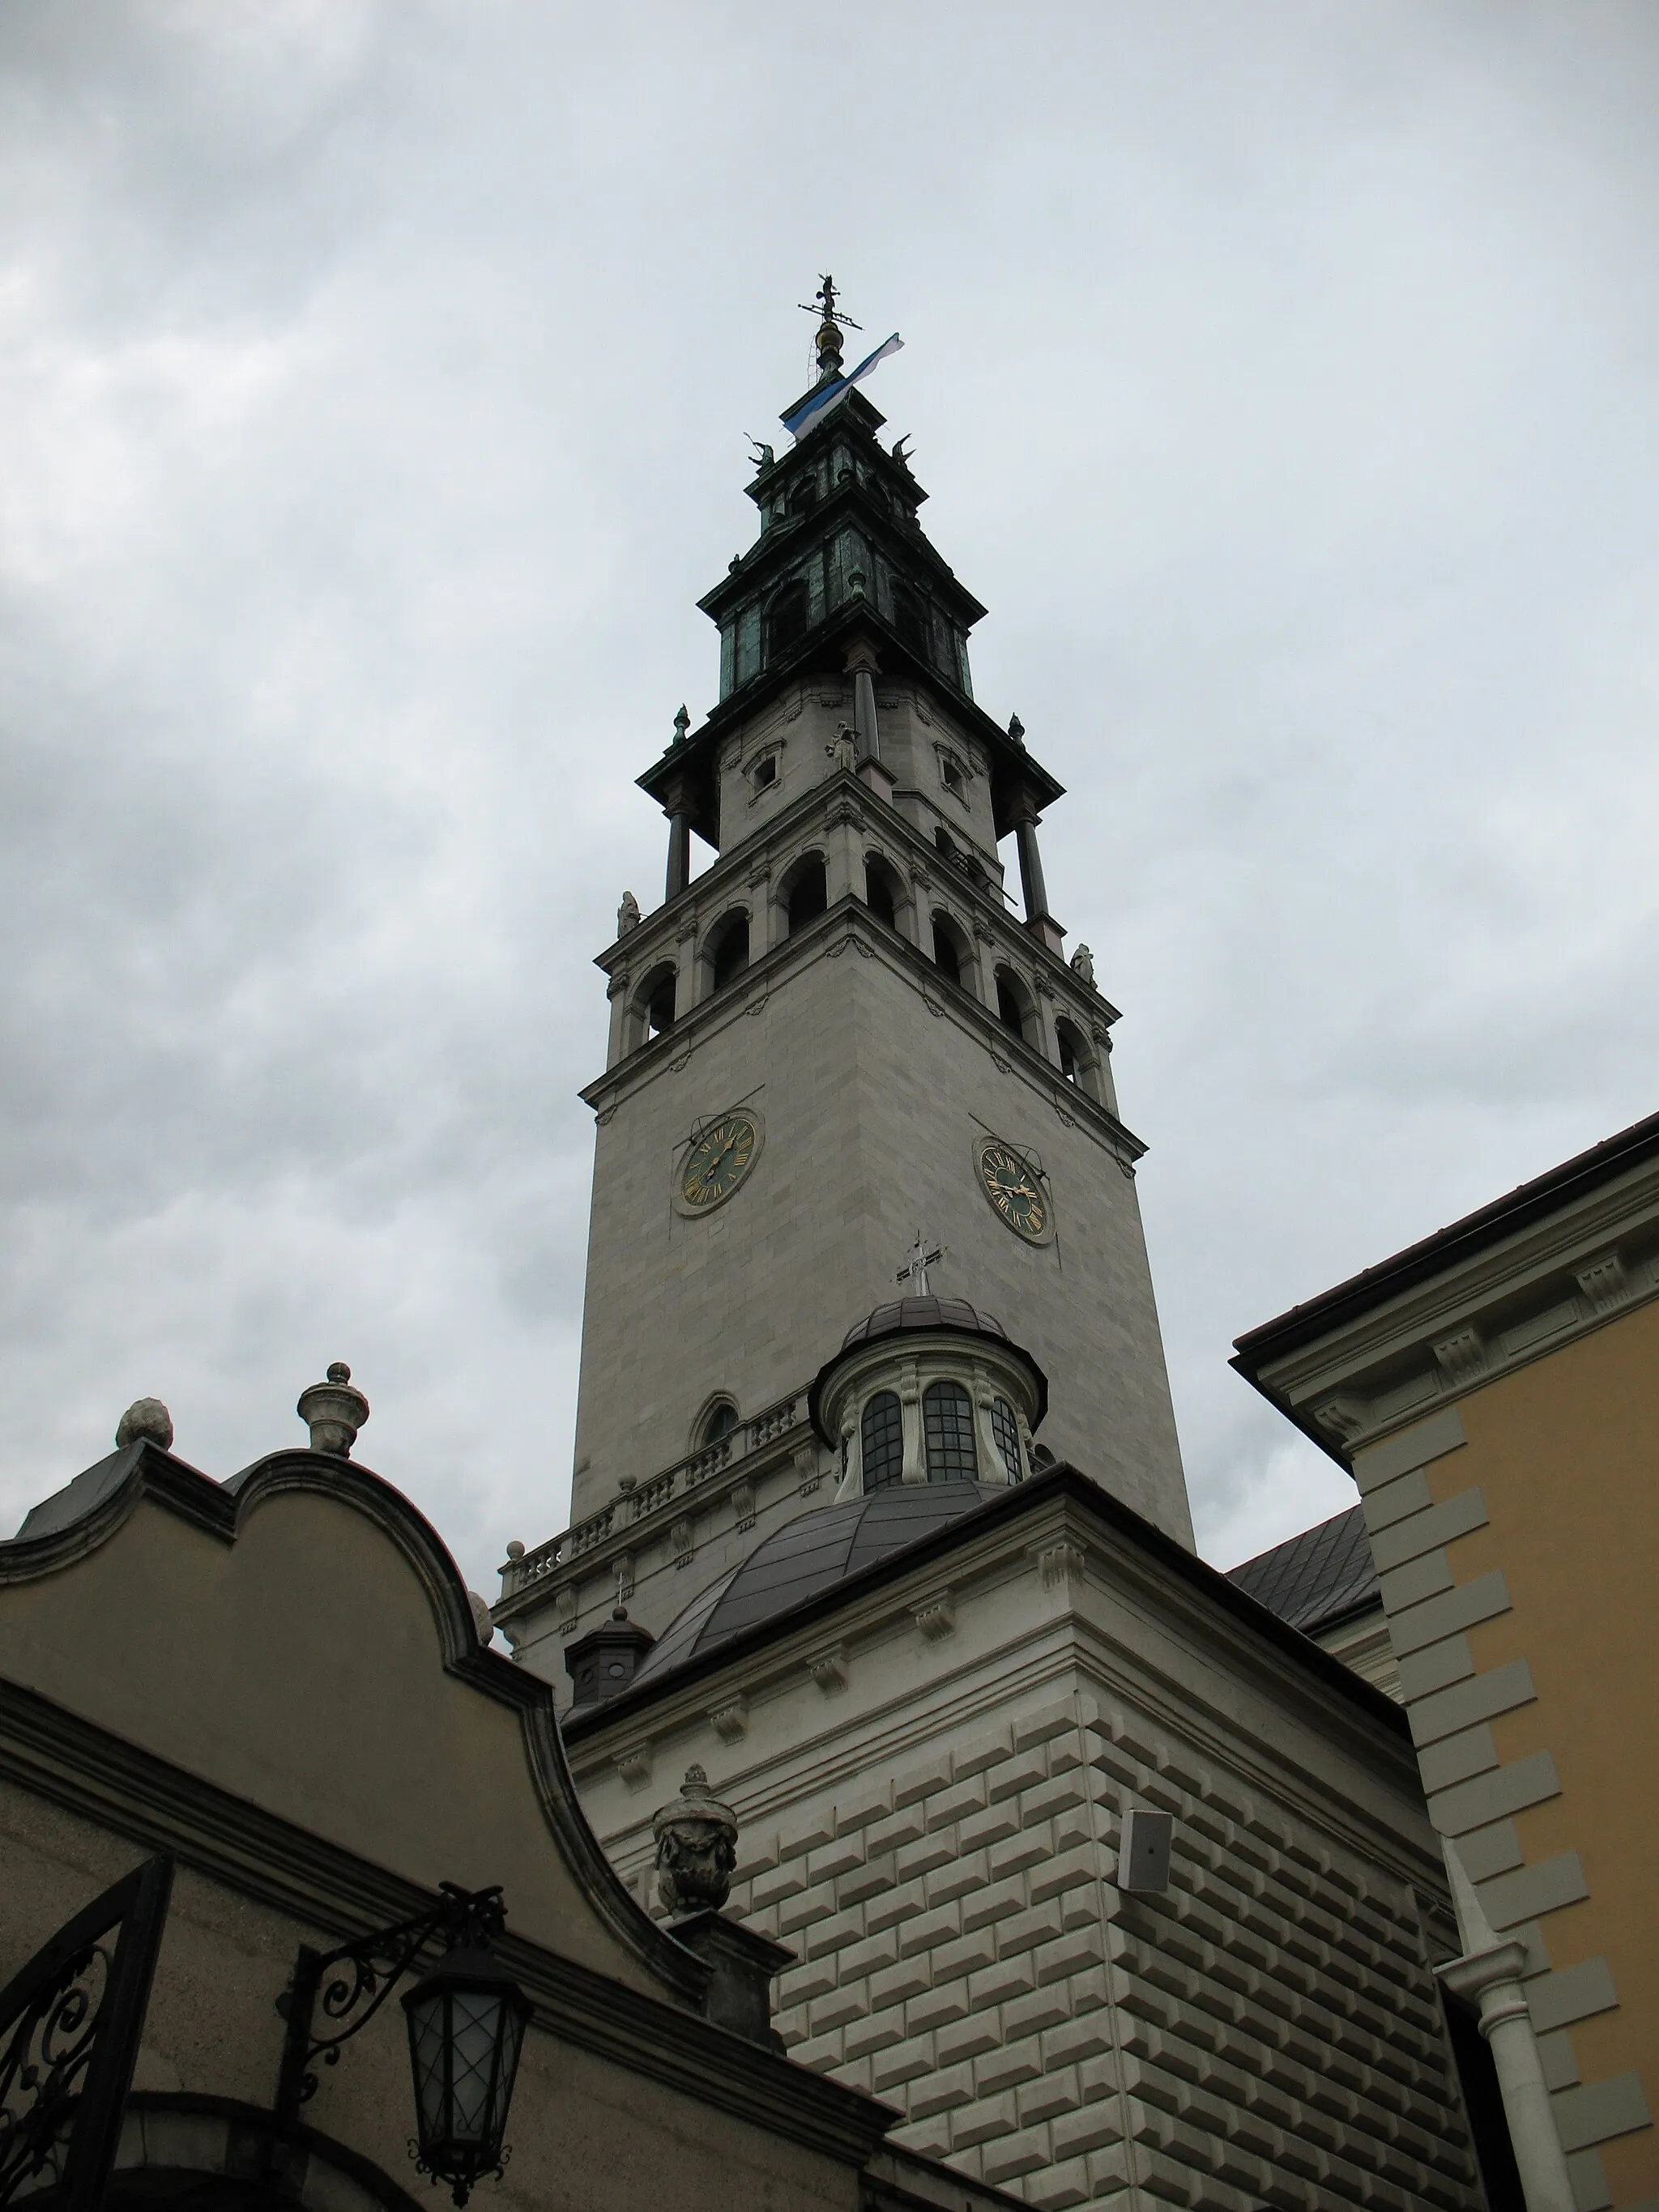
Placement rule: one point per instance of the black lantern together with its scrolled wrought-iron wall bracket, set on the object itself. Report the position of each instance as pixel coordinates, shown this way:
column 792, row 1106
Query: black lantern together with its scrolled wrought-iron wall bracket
column 466, row 2030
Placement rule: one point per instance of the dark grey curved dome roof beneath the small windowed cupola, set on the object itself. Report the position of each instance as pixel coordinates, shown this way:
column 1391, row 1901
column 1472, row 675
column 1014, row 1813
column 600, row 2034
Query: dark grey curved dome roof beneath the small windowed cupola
column 806, row 1558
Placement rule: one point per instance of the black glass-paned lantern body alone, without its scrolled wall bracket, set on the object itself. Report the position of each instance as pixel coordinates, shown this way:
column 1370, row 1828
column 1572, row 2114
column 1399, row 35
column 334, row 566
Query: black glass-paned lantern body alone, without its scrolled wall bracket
column 466, row 2032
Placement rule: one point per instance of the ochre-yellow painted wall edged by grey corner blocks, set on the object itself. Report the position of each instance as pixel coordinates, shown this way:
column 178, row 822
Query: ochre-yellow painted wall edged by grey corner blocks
column 1567, row 1459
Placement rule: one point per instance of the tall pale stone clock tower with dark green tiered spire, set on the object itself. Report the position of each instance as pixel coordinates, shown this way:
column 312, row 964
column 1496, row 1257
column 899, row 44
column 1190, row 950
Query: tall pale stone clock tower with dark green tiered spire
column 842, row 1052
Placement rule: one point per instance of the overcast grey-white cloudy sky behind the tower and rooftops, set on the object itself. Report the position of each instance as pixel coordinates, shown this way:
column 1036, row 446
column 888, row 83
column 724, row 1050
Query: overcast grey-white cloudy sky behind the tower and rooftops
column 375, row 384
